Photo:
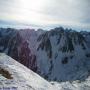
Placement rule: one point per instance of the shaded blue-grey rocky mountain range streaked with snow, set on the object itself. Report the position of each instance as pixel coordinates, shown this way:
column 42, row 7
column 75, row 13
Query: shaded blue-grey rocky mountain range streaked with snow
column 59, row 54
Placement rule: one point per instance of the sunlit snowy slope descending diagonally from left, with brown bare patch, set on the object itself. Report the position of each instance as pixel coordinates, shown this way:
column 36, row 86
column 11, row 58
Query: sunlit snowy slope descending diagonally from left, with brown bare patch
column 21, row 77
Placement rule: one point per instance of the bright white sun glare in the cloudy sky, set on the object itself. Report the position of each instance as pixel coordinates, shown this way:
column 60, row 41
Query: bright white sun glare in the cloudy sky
column 31, row 10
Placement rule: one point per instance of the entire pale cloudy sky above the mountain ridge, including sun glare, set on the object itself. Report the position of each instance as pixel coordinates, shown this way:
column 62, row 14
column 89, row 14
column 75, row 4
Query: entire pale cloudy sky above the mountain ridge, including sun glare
column 72, row 13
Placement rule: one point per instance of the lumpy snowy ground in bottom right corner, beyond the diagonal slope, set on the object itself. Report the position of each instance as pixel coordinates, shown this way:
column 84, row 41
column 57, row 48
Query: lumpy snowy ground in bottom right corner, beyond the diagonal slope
column 75, row 85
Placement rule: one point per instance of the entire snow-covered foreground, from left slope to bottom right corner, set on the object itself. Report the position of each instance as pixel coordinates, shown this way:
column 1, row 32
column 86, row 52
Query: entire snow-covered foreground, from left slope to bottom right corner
column 19, row 77
